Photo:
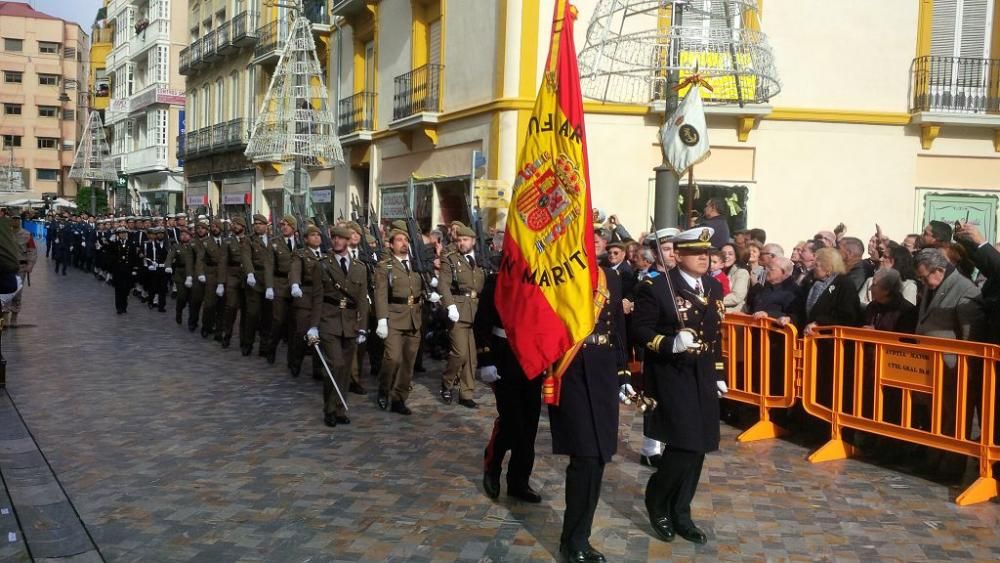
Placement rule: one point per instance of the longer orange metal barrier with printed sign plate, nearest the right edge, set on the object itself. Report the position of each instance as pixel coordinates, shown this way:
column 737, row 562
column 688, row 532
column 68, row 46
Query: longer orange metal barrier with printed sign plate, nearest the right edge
column 927, row 391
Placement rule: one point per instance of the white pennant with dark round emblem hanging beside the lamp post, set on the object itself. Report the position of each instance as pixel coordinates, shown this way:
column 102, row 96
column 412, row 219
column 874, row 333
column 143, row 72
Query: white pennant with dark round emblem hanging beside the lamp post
column 684, row 137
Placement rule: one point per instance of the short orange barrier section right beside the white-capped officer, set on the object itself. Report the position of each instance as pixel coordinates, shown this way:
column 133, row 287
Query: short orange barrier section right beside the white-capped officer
column 761, row 368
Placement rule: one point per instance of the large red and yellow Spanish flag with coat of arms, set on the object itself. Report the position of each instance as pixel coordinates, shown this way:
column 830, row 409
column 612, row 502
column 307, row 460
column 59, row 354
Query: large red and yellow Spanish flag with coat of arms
column 545, row 288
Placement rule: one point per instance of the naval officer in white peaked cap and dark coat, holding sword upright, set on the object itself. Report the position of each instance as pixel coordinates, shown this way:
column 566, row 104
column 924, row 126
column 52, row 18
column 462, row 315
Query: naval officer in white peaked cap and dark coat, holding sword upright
column 679, row 325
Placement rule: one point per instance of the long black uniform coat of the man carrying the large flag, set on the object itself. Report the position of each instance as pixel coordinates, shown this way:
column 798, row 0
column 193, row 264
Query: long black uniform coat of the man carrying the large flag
column 586, row 421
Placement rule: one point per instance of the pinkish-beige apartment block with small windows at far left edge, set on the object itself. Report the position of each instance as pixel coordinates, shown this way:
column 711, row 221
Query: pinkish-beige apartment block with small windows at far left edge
column 44, row 95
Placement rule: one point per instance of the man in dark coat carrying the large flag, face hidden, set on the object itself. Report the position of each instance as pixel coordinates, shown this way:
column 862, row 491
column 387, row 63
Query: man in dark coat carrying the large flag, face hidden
column 584, row 423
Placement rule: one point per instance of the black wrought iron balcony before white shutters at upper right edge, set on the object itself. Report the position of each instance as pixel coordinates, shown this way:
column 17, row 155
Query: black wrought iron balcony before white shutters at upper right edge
column 960, row 85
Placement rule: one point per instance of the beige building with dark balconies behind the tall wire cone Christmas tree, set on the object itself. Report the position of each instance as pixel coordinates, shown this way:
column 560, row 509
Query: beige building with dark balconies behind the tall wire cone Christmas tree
column 234, row 49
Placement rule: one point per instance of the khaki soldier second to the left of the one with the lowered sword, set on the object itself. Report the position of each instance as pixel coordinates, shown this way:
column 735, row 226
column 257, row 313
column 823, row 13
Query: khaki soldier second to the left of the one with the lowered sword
column 282, row 252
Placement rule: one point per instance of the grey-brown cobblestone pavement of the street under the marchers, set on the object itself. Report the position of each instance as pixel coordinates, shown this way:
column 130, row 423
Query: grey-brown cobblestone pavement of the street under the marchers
column 173, row 449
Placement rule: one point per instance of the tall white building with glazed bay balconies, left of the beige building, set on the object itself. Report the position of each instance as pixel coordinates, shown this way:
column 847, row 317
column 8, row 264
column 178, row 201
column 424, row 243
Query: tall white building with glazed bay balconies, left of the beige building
column 146, row 111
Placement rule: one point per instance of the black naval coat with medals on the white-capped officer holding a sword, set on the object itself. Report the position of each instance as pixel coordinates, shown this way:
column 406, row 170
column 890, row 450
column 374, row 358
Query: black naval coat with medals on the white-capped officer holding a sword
column 685, row 384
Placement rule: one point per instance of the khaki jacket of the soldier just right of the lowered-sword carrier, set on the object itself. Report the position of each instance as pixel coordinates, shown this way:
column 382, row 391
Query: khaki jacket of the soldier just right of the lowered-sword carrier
column 398, row 295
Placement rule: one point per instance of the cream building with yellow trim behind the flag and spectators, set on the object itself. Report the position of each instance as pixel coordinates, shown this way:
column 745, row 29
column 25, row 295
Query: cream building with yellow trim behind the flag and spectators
column 889, row 112
